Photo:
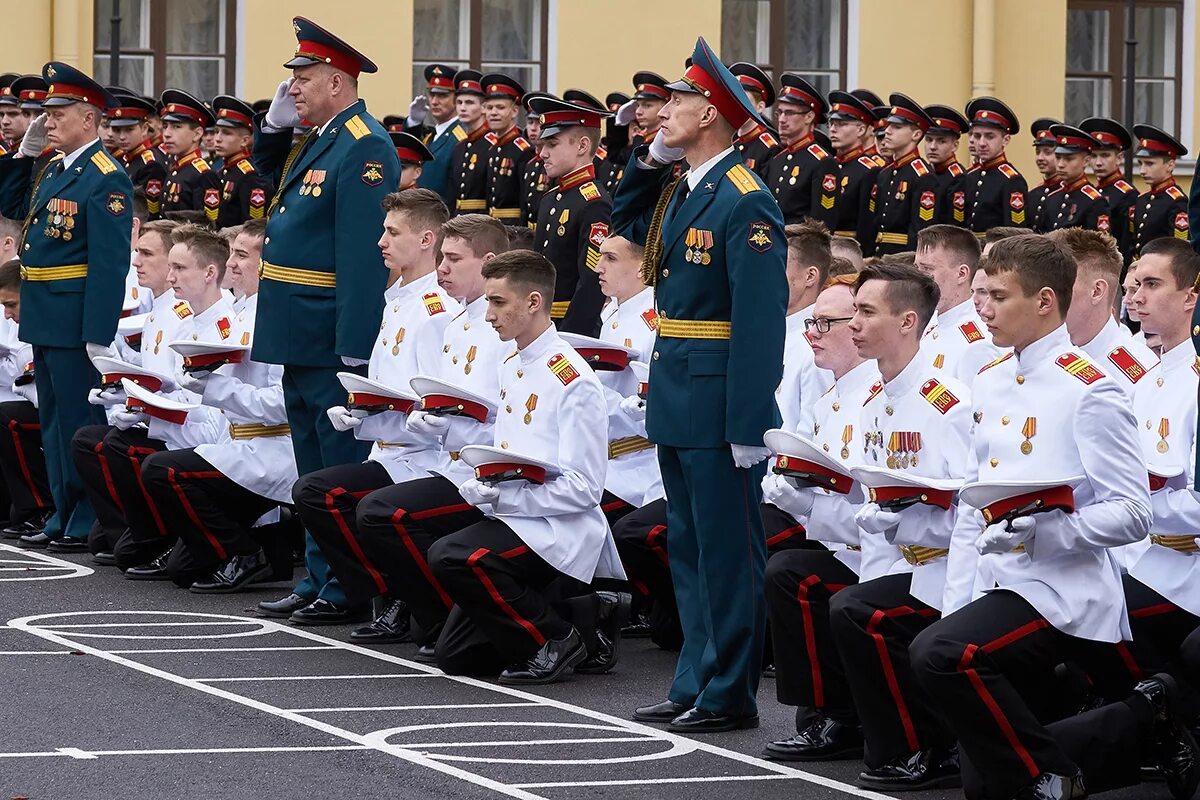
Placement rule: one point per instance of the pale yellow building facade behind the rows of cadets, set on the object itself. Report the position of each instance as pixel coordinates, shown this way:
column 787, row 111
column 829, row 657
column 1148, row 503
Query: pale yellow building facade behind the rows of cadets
column 935, row 51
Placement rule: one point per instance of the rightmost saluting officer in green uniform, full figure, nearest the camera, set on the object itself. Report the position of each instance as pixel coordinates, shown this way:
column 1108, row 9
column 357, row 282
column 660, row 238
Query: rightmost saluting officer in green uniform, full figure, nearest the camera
column 716, row 254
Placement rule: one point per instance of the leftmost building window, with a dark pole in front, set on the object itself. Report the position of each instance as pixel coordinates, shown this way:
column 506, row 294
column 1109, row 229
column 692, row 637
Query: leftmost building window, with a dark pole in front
column 170, row 44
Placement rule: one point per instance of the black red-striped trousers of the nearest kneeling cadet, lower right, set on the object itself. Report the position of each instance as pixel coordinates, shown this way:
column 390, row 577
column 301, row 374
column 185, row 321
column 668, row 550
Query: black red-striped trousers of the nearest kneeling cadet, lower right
column 980, row 663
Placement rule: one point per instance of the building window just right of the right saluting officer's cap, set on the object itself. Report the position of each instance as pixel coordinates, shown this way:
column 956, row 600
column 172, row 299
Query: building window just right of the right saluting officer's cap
column 802, row 37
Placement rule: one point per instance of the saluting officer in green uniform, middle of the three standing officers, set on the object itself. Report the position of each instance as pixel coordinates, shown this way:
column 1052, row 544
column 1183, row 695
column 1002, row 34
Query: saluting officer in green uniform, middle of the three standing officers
column 321, row 297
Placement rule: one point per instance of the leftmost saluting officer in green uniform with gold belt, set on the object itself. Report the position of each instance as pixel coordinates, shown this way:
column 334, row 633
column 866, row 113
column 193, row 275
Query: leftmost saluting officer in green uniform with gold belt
column 76, row 257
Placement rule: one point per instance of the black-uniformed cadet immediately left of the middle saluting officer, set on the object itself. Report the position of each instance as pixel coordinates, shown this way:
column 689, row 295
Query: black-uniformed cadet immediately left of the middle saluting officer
column 237, row 191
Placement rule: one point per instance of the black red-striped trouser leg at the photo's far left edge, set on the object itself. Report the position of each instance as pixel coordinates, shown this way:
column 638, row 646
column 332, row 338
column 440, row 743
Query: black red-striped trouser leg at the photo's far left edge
column 23, row 464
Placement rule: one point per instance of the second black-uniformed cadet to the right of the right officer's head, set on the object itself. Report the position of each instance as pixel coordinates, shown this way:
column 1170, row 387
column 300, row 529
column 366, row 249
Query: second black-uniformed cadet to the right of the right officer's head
column 794, row 175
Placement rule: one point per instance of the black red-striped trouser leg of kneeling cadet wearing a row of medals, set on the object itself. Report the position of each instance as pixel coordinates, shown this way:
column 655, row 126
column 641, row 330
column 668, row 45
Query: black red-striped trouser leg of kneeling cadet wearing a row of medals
column 873, row 625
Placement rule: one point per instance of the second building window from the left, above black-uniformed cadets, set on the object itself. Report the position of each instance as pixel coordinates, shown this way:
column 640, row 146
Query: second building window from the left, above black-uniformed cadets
column 508, row 37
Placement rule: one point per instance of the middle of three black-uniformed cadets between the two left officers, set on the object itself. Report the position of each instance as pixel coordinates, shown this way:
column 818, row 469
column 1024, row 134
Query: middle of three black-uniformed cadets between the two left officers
column 184, row 122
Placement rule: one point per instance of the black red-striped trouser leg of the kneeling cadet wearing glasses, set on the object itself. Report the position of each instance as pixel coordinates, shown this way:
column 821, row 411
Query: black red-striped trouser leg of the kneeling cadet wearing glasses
column 809, row 672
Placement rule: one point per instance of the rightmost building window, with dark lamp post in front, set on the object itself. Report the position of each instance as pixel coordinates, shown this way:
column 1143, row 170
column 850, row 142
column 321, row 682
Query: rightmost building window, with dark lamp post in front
column 1096, row 62
